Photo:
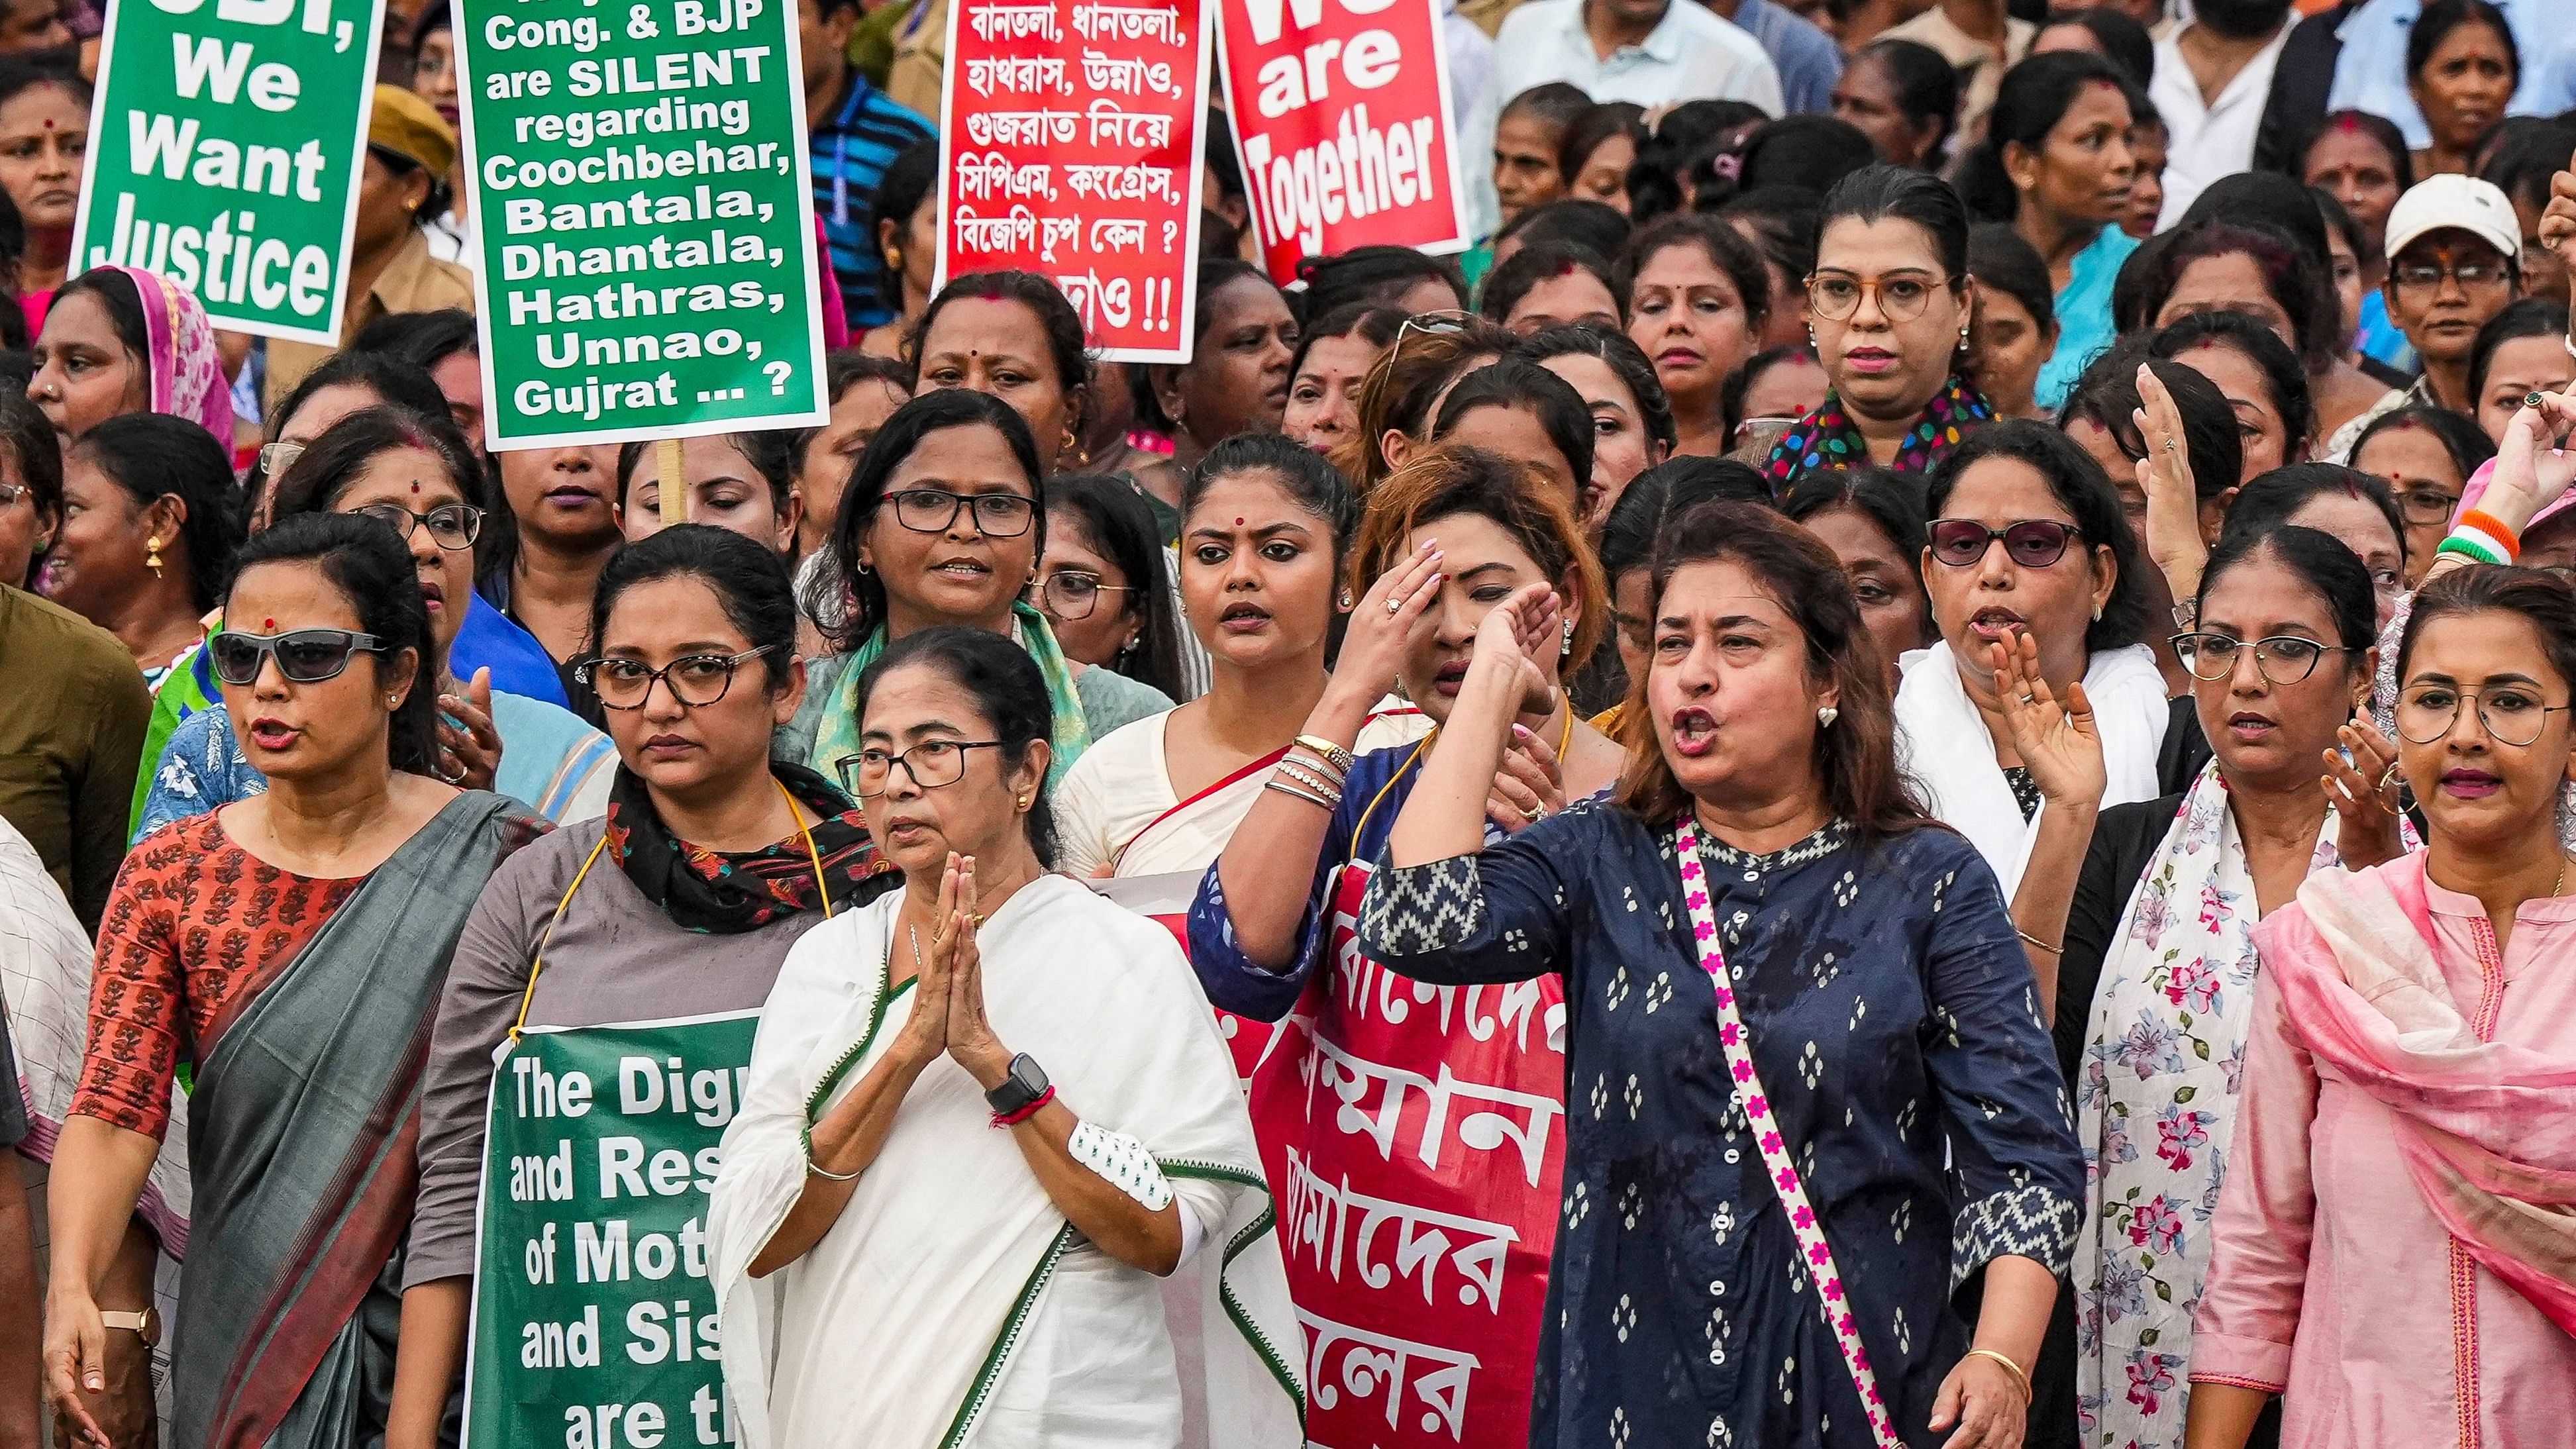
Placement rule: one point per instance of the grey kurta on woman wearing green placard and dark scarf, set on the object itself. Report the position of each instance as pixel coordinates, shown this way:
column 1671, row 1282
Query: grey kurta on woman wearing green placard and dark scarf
column 614, row 959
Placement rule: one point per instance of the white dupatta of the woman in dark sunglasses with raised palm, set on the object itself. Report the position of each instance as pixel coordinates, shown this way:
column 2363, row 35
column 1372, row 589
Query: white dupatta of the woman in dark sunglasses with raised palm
column 1944, row 745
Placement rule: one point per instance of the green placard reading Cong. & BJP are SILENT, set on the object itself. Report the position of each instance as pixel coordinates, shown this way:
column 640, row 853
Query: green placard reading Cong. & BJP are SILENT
column 645, row 217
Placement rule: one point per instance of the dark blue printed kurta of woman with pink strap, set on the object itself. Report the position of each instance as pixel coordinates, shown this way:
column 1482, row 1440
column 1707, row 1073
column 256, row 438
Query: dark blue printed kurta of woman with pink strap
column 1895, row 1026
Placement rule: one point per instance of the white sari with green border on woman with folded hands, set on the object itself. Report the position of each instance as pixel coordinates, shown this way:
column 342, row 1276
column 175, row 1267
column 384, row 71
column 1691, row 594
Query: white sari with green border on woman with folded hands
column 952, row 1304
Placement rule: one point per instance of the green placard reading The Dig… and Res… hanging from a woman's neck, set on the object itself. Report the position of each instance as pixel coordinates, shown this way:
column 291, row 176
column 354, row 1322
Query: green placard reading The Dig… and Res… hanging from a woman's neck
column 594, row 1316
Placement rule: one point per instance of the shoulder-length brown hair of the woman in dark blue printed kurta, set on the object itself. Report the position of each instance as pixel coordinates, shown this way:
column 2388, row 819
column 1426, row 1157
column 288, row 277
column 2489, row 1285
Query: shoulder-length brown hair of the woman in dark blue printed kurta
column 1856, row 758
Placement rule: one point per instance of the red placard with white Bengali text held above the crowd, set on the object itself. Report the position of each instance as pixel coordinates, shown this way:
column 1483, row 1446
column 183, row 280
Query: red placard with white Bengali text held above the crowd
column 1073, row 135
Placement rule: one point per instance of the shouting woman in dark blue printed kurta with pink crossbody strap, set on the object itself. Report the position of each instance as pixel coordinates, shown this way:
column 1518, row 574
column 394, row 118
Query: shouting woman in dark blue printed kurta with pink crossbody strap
column 1804, row 1054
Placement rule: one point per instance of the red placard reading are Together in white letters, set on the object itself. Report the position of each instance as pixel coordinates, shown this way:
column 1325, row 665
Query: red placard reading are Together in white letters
column 1343, row 125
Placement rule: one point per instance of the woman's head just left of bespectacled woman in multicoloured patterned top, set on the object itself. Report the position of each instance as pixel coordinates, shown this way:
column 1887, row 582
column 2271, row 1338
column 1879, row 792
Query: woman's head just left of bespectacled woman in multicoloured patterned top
column 1696, row 297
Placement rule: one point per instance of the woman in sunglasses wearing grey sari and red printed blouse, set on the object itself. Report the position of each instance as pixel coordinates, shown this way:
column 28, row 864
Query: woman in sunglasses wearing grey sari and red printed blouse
column 287, row 941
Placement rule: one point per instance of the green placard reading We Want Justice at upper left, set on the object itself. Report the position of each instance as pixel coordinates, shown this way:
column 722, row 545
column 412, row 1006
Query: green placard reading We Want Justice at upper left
column 225, row 156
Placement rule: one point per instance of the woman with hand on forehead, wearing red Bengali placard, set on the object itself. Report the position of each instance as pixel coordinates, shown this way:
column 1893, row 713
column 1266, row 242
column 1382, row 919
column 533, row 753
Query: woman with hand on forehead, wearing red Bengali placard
column 1271, row 936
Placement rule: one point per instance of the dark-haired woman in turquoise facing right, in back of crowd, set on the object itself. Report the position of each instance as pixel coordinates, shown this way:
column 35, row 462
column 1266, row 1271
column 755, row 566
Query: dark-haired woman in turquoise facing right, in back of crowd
column 2057, row 166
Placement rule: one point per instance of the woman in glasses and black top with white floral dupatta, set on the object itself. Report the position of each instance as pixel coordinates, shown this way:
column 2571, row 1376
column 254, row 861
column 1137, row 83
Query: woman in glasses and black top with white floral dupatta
column 2155, row 992
